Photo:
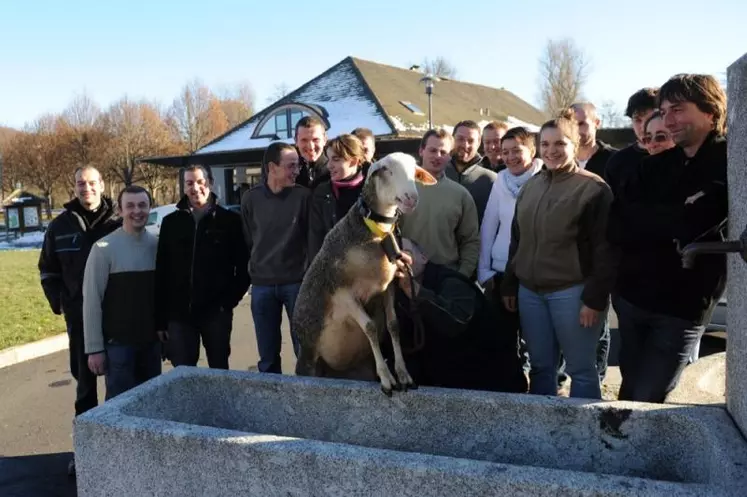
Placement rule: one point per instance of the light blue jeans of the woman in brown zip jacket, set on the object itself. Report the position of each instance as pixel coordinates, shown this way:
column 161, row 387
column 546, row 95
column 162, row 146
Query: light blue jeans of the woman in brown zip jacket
column 551, row 325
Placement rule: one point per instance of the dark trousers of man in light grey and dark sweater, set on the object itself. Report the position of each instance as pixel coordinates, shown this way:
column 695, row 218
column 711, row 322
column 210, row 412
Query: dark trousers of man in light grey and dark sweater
column 128, row 366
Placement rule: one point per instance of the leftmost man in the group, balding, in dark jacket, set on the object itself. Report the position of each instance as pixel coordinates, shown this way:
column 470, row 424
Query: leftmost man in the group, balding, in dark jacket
column 67, row 243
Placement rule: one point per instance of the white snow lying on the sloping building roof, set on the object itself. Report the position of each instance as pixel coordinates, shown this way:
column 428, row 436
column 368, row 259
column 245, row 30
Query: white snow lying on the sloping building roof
column 339, row 92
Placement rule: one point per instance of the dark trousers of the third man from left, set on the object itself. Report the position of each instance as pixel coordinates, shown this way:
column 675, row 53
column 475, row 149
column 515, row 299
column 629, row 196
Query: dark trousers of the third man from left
column 183, row 347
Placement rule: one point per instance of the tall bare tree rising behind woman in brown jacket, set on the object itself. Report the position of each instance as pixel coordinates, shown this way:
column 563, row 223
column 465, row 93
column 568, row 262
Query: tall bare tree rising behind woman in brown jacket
column 564, row 70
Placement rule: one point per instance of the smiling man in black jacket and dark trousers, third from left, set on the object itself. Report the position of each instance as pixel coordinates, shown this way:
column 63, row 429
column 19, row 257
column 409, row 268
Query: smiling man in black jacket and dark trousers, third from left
column 201, row 274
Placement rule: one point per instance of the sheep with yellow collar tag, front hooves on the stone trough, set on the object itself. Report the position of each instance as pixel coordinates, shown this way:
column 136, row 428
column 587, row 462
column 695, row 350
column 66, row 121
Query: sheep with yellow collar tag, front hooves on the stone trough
column 346, row 297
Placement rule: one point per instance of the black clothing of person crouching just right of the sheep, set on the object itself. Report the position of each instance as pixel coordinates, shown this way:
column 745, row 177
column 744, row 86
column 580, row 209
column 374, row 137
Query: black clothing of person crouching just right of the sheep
column 465, row 345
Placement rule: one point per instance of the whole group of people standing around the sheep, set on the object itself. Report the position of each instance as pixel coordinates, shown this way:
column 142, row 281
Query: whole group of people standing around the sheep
column 517, row 254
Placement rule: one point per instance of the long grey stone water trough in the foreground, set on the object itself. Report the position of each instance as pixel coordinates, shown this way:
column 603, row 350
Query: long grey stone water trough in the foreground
column 227, row 433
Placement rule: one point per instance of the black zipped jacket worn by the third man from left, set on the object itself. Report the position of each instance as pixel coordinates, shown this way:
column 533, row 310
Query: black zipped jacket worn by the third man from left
column 200, row 268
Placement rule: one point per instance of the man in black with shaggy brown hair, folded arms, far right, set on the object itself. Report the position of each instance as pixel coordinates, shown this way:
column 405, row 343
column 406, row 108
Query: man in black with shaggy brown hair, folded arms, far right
column 677, row 197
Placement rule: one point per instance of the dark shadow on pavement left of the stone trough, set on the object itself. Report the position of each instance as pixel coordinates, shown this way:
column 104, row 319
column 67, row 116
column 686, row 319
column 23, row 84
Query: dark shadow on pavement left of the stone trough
column 42, row 475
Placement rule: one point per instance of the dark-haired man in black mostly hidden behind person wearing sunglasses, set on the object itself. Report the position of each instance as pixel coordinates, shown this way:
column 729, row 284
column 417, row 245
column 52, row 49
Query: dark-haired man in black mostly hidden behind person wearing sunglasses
column 641, row 105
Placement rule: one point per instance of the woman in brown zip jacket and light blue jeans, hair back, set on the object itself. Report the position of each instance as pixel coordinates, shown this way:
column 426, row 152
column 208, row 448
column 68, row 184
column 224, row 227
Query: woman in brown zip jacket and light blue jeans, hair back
column 561, row 268
